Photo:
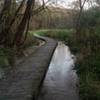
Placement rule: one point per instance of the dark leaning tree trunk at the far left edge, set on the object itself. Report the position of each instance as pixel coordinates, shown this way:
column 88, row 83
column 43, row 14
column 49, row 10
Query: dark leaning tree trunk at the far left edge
column 5, row 19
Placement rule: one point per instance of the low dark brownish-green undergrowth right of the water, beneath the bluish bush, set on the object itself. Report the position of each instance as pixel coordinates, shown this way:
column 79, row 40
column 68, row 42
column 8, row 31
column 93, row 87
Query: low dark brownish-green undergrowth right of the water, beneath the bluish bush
column 88, row 65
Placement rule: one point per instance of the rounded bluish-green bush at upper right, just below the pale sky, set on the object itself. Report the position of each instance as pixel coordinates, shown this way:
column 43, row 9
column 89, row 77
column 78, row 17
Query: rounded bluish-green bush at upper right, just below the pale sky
column 90, row 18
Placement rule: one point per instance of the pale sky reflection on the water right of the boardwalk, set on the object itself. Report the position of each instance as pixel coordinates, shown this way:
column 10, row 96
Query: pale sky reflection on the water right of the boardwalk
column 61, row 79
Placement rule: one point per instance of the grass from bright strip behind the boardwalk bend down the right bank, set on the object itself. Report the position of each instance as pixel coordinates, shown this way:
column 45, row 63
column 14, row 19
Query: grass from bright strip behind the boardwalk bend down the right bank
column 87, row 50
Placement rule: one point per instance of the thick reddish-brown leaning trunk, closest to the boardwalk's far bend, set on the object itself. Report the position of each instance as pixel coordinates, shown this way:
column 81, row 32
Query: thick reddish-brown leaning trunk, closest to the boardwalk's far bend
column 18, row 39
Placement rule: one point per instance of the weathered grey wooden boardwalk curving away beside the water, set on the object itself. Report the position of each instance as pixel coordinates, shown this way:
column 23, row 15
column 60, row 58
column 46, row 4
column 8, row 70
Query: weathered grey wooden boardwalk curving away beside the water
column 24, row 82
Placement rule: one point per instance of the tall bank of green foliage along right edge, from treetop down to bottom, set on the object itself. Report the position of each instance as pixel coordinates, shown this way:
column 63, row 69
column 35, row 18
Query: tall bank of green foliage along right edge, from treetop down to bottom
column 88, row 59
